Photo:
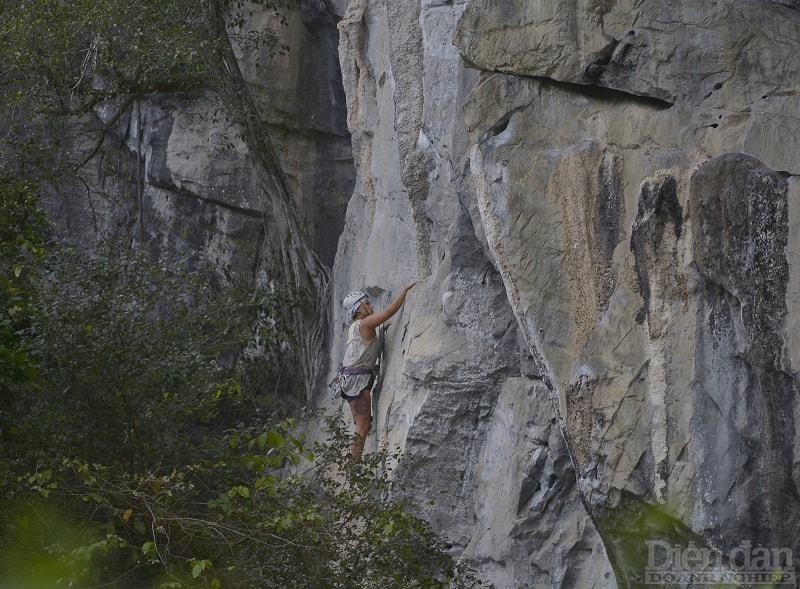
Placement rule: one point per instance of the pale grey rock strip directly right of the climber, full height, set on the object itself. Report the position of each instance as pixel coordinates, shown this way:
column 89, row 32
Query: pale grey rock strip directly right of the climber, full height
column 462, row 396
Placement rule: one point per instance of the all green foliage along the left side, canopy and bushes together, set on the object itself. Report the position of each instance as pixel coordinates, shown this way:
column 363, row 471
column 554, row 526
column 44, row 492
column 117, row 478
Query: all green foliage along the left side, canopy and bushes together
column 134, row 450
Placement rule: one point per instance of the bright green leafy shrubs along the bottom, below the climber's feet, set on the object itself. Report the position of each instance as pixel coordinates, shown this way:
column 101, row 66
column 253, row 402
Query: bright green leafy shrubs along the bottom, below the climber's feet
column 270, row 512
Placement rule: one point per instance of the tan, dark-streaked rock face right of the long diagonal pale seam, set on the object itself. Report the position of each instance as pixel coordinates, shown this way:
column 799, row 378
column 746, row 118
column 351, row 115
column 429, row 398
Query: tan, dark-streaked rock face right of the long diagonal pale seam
column 672, row 376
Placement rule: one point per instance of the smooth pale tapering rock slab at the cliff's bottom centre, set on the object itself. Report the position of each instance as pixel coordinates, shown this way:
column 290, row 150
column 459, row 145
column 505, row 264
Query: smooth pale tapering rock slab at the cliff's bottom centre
column 530, row 529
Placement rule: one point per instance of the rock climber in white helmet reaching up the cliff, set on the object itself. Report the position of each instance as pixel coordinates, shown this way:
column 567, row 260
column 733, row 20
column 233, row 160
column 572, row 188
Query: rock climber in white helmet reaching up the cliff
column 360, row 357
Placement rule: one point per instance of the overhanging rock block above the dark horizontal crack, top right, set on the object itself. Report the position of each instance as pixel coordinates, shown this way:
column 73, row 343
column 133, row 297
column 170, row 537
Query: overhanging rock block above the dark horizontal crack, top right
column 641, row 48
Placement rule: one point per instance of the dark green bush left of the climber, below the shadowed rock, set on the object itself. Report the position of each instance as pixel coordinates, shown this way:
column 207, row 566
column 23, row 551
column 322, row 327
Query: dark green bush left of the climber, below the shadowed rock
column 134, row 357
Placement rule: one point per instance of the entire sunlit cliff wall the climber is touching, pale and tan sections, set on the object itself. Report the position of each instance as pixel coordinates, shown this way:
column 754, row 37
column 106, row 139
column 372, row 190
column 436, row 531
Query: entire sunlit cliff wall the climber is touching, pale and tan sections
column 602, row 198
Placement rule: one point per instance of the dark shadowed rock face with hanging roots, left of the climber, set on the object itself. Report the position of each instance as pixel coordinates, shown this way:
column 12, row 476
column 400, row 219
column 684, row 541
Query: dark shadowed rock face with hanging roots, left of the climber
column 263, row 204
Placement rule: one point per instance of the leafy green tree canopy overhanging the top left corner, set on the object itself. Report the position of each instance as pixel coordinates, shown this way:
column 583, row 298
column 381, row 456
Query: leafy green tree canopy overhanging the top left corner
column 67, row 56
